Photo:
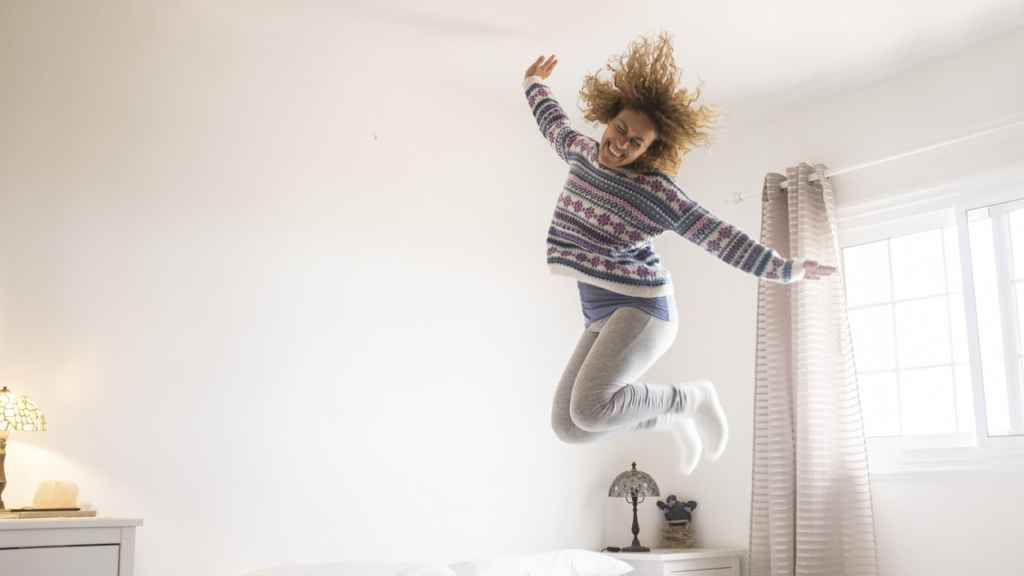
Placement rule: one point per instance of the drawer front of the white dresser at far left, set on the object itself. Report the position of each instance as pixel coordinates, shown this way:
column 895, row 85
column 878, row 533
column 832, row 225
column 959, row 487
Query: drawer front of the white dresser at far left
column 61, row 561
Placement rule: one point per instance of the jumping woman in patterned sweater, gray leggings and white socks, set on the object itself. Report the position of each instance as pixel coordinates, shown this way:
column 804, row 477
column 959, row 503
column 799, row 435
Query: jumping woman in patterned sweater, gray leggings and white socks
column 619, row 197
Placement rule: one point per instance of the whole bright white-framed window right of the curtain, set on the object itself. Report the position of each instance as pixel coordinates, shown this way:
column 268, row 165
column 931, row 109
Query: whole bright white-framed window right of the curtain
column 935, row 296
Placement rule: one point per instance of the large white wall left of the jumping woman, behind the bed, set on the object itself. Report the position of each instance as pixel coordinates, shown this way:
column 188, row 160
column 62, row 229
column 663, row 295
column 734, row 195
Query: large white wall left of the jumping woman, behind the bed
column 276, row 274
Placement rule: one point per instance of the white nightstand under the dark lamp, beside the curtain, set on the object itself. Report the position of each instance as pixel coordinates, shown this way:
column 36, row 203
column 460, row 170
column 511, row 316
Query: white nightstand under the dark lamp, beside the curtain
column 686, row 562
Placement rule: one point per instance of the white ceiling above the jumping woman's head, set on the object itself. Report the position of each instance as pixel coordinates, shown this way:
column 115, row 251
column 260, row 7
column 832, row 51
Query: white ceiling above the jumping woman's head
column 739, row 51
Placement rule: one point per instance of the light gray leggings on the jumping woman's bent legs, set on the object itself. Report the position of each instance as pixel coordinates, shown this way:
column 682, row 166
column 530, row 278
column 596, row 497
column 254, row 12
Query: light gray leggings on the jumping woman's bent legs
column 600, row 392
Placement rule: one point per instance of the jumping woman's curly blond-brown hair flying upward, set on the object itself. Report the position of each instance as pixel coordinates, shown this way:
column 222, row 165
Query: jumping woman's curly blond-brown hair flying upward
column 647, row 79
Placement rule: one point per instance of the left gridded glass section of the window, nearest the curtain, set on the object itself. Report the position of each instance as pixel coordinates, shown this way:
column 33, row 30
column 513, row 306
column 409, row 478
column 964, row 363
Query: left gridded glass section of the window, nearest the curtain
column 906, row 307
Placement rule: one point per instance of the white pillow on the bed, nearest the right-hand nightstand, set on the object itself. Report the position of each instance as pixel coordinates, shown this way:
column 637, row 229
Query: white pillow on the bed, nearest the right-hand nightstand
column 560, row 563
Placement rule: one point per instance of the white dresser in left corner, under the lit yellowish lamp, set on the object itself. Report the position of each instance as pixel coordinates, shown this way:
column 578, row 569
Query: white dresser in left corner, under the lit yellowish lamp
column 79, row 547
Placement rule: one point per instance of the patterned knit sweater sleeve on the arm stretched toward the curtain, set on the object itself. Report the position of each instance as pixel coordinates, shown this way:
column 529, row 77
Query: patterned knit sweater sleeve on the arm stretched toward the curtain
column 731, row 244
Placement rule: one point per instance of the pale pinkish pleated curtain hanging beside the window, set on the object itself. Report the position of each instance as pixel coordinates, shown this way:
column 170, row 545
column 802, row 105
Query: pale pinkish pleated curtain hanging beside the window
column 812, row 503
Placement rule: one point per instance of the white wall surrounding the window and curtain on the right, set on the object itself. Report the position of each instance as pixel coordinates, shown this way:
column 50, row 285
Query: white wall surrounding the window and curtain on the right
column 936, row 524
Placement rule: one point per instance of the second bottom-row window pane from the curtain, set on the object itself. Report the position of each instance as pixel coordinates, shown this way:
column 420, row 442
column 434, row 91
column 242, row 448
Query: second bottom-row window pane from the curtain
column 928, row 401
